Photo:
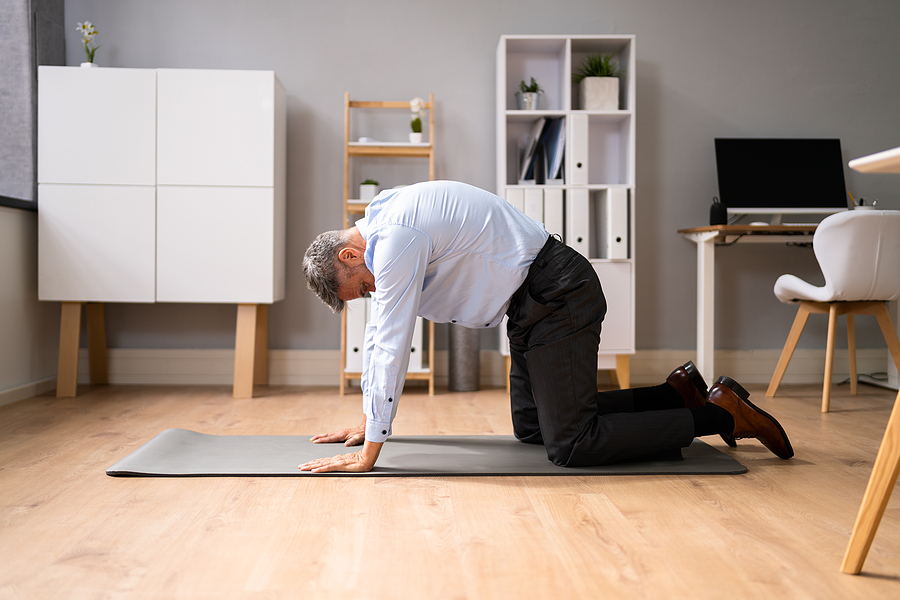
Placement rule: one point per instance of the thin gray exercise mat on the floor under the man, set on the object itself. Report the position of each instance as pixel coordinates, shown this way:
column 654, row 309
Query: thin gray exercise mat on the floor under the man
column 184, row 453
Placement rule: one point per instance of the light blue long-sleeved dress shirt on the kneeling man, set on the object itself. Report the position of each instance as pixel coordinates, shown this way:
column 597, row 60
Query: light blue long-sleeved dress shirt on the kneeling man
column 443, row 250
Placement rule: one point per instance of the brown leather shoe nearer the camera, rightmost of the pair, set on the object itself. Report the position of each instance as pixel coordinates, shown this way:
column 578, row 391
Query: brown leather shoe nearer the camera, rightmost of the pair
column 749, row 421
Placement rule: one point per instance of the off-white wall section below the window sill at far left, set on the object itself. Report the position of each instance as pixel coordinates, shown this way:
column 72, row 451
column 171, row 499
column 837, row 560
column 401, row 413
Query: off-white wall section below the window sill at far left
column 29, row 330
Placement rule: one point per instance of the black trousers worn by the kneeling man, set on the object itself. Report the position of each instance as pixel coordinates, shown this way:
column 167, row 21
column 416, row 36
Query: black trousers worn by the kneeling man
column 554, row 327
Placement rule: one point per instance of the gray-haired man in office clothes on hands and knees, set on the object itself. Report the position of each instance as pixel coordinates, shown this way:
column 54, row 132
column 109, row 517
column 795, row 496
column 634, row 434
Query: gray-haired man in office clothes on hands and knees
column 454, row 253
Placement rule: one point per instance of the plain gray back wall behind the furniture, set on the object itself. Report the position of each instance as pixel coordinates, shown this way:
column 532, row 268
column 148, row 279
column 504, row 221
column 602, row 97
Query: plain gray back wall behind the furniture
column 705, row 68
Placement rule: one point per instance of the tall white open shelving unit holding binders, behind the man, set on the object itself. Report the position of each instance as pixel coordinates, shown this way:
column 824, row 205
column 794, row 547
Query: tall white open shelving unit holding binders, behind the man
column 593, row 208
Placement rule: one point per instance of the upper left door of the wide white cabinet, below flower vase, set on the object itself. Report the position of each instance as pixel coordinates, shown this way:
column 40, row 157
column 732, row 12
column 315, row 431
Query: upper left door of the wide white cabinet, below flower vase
column 96, row 125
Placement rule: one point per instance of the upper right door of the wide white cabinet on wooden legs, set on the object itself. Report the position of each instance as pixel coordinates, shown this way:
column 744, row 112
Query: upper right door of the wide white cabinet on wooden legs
column 217, row 127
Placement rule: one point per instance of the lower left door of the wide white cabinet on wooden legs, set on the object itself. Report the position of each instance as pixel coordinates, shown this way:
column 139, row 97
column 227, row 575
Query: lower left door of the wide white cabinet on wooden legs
column 96, row 243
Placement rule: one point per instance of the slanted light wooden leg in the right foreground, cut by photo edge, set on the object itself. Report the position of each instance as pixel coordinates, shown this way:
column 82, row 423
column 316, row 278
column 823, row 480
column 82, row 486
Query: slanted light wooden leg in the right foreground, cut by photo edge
column 878, row 493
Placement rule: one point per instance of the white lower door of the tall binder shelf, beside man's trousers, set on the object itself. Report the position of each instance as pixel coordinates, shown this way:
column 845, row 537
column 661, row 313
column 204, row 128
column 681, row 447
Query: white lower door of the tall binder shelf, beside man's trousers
column 617, row 334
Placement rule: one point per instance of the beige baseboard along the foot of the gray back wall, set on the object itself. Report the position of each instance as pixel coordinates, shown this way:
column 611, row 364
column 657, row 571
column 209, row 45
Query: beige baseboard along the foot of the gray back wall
column 320, row 367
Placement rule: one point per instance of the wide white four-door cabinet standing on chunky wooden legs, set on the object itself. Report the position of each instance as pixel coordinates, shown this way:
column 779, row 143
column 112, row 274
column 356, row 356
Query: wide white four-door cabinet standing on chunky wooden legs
column 160, row 185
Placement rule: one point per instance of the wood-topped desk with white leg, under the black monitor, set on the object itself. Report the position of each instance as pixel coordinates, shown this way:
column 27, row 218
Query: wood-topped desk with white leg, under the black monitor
column 707, row 238
